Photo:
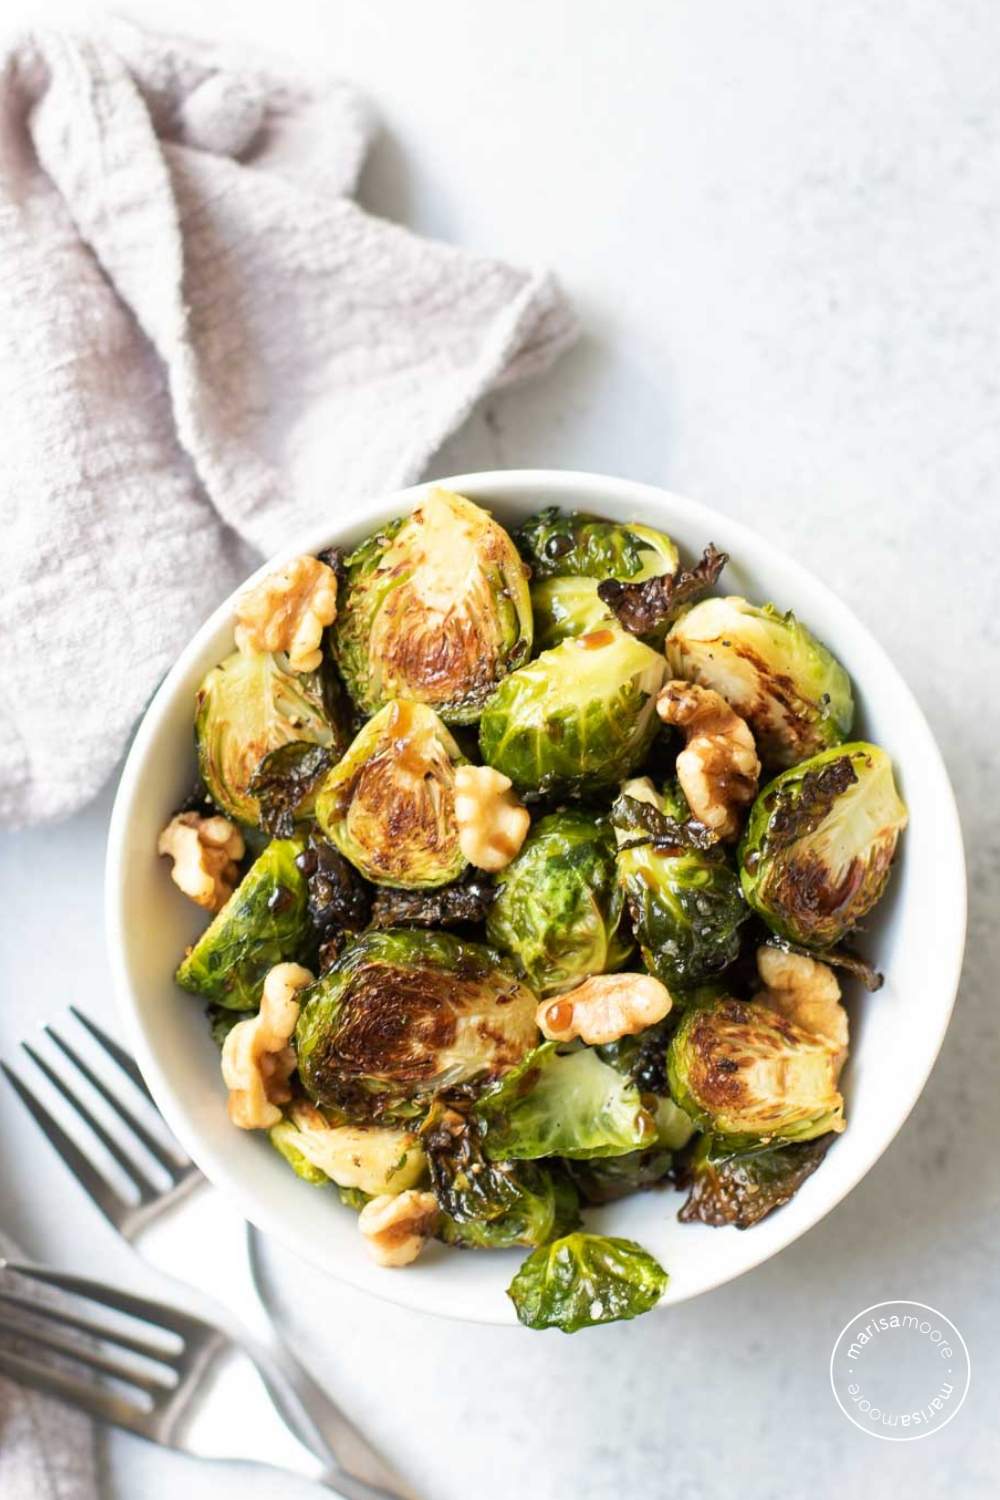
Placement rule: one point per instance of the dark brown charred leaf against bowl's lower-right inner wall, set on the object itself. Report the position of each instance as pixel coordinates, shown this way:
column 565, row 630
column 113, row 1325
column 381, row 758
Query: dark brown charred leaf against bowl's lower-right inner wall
column 744, row 1187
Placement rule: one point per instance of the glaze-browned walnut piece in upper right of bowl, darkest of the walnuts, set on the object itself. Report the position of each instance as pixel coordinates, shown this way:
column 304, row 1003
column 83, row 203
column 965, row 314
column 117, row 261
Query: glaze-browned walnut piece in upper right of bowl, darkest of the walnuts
column 719, row 767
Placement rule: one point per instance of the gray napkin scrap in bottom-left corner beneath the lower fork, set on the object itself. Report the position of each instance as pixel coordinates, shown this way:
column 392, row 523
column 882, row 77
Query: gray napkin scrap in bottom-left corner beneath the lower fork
column 47, row 1451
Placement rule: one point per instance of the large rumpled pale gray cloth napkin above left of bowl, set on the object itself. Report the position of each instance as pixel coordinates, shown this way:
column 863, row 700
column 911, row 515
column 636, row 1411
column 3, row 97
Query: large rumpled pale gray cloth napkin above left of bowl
column 205, row 346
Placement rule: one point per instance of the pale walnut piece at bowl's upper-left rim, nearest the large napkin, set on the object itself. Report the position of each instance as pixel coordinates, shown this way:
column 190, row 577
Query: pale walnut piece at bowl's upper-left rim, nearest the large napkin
column 289, row 611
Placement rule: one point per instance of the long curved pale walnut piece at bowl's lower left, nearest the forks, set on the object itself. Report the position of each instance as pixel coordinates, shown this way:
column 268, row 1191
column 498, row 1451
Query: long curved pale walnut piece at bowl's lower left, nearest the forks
column 259, row 1058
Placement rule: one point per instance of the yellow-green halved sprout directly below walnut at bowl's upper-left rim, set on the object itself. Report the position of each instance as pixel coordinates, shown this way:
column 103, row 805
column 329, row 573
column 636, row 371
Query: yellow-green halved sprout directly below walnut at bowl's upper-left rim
column 247, row 709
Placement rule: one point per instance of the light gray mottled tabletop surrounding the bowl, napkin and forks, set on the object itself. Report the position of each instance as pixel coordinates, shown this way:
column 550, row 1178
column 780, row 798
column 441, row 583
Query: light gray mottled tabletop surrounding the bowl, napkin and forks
column 779, row 221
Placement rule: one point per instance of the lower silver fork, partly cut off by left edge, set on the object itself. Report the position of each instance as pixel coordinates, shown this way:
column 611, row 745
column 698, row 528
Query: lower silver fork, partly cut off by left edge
column 173, row 1379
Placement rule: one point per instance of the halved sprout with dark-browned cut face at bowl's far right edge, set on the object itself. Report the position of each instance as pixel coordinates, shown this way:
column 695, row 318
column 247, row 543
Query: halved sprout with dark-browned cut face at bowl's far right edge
column 819, row 844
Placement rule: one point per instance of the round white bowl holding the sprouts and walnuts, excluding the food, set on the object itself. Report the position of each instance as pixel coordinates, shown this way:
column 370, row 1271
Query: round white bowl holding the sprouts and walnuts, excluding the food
column 917, row 937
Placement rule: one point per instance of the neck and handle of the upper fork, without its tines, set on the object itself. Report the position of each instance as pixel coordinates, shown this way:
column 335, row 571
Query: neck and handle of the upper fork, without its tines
column 208, row 1246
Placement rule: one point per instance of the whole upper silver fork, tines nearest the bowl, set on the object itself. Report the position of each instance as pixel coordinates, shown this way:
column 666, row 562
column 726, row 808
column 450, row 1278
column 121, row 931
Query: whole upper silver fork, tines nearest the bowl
column 187, row 1231
